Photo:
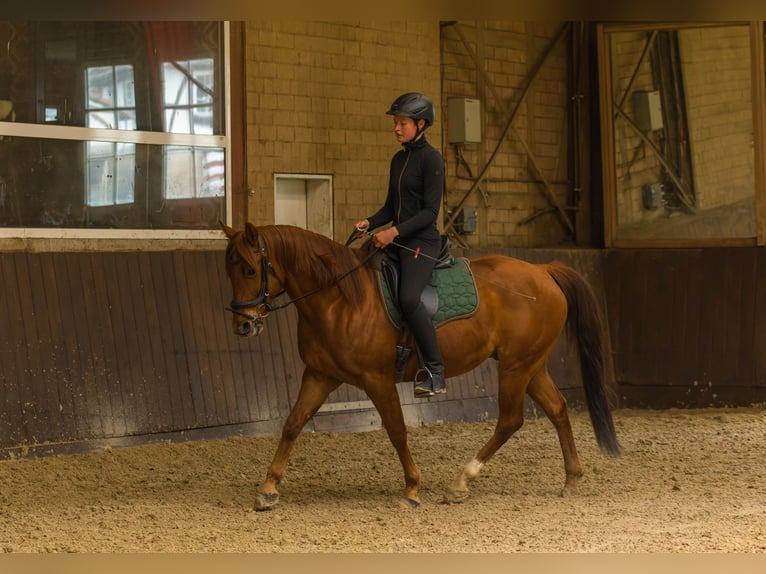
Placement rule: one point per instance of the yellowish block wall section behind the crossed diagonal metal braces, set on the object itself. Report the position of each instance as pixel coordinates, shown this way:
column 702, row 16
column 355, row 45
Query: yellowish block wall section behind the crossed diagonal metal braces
column 508, row 51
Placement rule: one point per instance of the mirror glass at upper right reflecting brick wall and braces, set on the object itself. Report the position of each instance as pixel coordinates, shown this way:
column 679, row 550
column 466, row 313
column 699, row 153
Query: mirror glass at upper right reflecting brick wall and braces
column 682, row 158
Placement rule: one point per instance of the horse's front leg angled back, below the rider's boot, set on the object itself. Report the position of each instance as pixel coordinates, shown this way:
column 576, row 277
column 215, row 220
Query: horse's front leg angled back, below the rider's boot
column 383, row 394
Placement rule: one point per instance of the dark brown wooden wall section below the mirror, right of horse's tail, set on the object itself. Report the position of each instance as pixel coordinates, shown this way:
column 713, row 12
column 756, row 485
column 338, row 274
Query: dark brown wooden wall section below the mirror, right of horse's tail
column 688, row 325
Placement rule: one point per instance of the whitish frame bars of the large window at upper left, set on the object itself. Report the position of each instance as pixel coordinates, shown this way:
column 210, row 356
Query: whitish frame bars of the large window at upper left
column 84, row 134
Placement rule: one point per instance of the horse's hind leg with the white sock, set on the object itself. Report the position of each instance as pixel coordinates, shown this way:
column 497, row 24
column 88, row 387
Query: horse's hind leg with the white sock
column 511, row 390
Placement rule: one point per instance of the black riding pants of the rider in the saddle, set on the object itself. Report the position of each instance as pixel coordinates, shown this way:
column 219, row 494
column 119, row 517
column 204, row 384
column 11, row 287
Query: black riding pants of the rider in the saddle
column 415, row 273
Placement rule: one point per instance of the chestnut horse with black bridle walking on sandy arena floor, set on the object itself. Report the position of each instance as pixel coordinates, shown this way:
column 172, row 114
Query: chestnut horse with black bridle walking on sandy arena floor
column 344, row 336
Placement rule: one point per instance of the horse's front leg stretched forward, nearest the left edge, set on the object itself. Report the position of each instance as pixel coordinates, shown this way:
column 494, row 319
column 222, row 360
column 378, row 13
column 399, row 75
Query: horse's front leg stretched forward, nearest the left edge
column 314, row 390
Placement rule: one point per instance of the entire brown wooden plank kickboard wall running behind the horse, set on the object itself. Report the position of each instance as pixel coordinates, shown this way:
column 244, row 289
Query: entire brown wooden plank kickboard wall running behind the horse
column 108, row 345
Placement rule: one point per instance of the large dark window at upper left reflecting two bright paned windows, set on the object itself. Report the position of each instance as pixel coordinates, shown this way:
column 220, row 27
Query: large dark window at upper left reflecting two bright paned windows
column 133, row 116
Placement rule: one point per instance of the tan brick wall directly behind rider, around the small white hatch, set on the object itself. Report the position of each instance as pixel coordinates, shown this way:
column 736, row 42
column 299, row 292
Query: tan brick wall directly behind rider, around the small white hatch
column 317, row 93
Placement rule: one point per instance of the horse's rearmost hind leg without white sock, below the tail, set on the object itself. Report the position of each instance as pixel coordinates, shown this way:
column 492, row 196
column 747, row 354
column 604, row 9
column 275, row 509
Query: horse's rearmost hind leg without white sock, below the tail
column 544, row 392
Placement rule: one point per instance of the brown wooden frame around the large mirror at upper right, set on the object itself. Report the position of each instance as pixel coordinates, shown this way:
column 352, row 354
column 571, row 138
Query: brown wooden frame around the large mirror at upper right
column 758, row 95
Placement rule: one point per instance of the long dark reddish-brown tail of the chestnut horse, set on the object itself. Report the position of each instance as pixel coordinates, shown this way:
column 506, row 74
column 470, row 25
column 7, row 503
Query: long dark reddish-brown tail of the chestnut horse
column 584, row 325
